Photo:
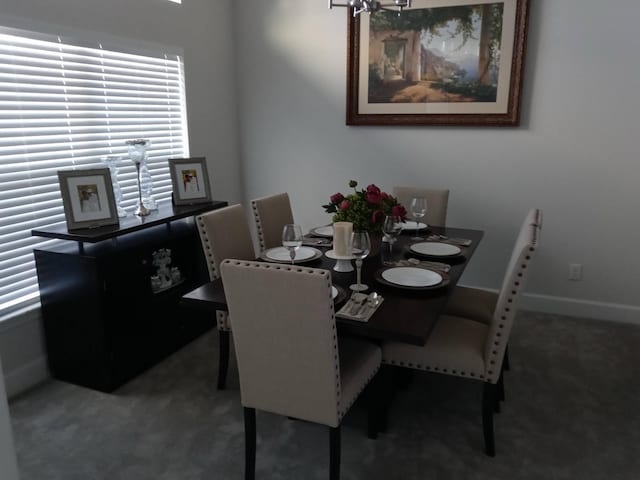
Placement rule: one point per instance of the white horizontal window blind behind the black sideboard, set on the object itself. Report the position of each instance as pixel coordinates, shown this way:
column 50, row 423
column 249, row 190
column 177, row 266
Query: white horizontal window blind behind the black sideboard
column 65, row 105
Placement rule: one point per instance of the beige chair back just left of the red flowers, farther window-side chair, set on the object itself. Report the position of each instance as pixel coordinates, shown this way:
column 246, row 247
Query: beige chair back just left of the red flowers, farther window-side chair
column 271, row 214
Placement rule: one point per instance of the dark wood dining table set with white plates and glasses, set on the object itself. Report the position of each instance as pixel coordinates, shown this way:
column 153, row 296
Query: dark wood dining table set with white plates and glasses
column 407, row 314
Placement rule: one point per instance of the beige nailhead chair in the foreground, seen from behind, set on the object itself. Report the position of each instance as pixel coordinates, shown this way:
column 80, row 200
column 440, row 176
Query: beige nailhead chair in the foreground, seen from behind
column 290, row 359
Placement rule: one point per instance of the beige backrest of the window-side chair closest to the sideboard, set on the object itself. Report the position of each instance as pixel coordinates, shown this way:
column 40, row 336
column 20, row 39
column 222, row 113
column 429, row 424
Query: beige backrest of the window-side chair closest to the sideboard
column 225, row 233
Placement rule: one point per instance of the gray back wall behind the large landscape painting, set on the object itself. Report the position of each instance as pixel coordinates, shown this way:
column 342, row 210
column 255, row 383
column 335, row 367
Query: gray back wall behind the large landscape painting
column 575, row 154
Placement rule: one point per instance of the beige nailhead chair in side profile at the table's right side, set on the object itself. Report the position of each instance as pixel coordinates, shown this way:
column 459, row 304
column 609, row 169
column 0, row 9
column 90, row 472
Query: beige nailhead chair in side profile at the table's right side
column 473, row 349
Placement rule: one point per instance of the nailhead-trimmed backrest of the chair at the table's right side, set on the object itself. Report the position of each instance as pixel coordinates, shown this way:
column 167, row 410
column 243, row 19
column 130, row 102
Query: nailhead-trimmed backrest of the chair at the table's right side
column 511, row 292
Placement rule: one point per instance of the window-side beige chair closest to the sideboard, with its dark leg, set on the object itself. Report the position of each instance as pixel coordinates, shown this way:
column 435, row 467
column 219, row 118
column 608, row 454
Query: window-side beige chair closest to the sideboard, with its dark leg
column 224, row 233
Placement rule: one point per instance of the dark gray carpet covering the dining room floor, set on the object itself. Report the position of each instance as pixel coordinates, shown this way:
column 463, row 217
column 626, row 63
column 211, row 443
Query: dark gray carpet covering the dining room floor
column 571, row 412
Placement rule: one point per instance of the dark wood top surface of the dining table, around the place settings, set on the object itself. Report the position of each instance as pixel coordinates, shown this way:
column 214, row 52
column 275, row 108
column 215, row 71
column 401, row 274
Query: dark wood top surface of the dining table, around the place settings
column 405, row 315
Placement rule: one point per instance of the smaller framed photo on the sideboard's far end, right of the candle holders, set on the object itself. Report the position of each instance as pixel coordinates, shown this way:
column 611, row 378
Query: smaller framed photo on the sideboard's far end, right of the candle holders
column 190, row 180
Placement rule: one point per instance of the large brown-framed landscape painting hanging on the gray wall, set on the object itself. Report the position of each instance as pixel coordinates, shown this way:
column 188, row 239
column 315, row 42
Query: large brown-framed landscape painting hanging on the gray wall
column 440, row 62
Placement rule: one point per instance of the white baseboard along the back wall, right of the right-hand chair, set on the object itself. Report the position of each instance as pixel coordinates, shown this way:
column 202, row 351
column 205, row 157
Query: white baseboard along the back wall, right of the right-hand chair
column 573, row 307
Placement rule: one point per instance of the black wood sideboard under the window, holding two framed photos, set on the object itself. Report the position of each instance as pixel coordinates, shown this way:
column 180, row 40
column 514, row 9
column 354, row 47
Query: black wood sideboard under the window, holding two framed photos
column 103, row 322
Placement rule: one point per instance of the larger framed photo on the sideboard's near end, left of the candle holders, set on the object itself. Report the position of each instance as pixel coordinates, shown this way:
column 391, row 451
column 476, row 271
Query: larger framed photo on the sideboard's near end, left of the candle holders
column 87, row 196
